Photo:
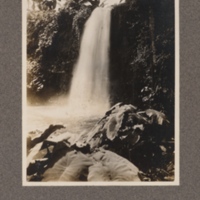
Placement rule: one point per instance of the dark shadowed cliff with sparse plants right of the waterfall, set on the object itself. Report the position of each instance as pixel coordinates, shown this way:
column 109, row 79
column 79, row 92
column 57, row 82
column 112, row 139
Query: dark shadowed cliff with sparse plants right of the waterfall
column 142, row 54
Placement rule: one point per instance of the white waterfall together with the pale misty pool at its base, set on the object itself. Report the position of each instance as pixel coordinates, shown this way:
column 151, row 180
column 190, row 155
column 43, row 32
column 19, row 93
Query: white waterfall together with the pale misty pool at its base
column 88, row 99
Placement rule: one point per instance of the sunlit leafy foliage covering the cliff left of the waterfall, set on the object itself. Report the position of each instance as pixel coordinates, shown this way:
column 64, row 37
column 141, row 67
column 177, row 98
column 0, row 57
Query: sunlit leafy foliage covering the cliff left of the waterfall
column 53, row 41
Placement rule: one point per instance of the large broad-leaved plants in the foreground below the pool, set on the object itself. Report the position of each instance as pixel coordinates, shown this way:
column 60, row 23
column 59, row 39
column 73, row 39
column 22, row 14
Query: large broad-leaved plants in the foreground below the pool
column 123, row 142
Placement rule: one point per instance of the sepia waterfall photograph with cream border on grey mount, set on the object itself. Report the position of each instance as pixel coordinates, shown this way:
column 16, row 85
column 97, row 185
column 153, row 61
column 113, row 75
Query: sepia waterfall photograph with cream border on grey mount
column 100, row 92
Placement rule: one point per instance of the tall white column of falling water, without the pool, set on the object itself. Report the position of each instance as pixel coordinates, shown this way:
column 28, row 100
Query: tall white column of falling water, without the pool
column 89, row 93
